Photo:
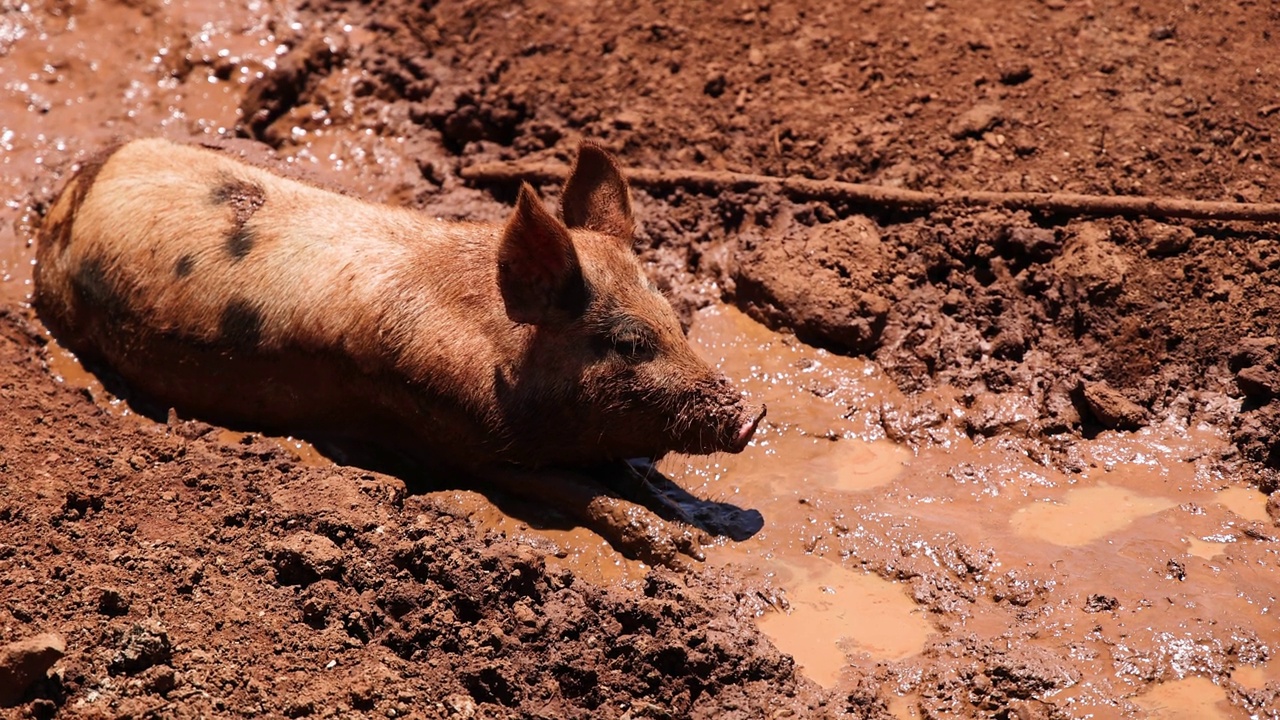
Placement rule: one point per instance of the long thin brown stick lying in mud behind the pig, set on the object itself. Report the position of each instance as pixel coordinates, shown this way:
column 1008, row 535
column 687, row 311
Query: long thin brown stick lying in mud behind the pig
column 1062, row 203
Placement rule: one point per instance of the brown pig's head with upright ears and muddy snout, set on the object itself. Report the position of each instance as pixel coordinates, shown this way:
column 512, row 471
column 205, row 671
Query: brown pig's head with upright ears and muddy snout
column 607, row 372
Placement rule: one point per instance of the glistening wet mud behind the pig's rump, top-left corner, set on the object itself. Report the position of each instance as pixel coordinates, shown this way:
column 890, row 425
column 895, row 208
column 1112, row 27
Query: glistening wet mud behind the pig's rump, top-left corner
column 85, row 74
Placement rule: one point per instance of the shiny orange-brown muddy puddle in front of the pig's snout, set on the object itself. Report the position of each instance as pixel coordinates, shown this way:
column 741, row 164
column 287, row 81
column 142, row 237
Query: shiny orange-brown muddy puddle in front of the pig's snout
column 1148, row 525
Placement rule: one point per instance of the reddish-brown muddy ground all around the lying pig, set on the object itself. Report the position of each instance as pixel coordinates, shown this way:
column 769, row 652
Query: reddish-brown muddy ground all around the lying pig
column 1027, row 477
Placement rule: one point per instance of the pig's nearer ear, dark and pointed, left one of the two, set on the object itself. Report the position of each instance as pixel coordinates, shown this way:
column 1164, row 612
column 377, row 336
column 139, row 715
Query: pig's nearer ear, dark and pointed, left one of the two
column 538, row 268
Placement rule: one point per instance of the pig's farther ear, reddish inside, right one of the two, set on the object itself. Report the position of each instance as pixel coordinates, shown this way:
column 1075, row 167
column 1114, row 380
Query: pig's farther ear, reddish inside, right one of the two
column 597, row 197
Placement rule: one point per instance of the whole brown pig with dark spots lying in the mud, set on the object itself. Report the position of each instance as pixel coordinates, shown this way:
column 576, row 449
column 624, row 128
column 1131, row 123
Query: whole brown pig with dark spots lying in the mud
column 527, row 356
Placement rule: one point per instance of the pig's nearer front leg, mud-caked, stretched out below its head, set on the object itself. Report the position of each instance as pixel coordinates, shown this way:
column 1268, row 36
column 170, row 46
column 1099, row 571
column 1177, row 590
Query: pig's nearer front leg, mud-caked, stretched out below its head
column 632, row 530
